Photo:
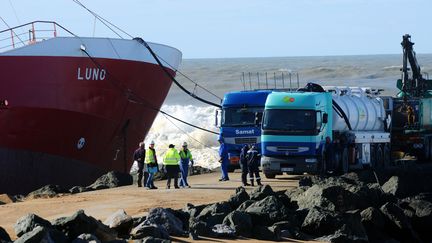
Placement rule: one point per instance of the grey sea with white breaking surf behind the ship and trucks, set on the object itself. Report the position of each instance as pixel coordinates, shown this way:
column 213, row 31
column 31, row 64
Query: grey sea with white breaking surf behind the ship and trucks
column 212, row 78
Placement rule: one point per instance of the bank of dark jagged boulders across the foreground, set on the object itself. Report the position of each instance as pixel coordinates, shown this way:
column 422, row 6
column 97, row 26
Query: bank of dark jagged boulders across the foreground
column 355, row 207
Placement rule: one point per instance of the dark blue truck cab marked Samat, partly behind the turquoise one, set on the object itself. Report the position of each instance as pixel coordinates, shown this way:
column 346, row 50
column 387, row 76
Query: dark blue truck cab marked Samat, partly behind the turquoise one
column 238, row 124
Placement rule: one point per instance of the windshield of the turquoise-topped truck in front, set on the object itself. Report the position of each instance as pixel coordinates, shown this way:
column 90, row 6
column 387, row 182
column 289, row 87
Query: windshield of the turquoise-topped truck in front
column 295, row 122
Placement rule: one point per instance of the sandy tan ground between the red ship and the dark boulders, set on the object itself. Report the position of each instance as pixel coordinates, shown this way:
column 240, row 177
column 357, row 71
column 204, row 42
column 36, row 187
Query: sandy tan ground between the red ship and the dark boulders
column 135, row 201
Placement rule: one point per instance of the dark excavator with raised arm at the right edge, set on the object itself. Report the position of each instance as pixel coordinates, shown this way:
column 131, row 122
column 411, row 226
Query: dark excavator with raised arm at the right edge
column 411, row 111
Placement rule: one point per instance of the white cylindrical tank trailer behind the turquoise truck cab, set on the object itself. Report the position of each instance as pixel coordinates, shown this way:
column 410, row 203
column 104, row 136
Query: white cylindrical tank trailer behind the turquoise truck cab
column 360, row 132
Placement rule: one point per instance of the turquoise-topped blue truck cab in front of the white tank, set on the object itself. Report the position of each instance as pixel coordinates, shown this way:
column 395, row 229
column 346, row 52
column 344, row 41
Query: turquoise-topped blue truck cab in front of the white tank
column 294, row 128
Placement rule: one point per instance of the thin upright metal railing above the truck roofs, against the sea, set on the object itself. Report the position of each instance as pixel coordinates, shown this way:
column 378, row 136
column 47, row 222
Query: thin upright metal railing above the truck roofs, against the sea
column 280, row 80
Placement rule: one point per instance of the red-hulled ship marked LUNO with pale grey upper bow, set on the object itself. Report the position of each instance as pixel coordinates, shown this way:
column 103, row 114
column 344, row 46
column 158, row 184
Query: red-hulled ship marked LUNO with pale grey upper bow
column 73, row 108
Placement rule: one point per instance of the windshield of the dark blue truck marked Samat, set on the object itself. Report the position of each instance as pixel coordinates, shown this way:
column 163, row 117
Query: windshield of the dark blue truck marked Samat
column 240, row 116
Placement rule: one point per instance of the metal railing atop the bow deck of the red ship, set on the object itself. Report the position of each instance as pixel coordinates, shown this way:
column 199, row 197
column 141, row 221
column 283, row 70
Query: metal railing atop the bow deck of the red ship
column 30, row 33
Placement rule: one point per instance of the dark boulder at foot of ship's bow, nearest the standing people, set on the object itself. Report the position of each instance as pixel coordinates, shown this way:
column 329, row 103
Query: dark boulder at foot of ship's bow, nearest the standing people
column 110, row 180
